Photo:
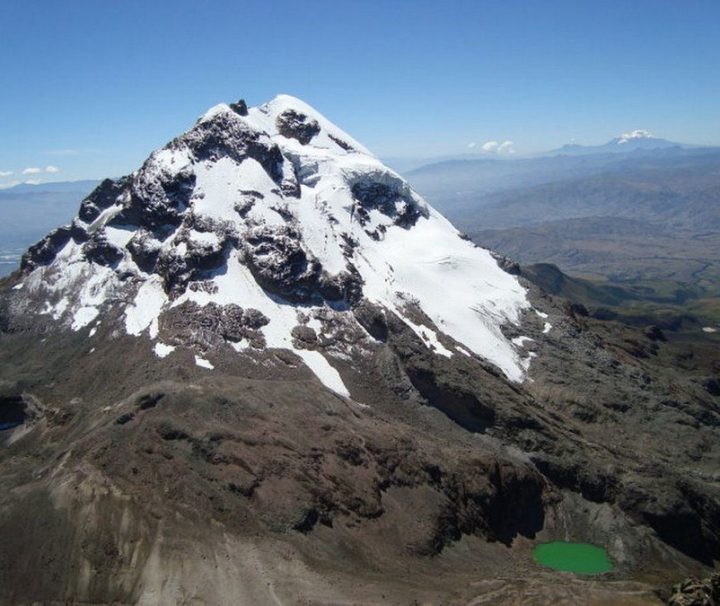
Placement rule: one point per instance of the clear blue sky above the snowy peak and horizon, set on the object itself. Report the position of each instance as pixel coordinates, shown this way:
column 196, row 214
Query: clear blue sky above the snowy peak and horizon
column 90, row 88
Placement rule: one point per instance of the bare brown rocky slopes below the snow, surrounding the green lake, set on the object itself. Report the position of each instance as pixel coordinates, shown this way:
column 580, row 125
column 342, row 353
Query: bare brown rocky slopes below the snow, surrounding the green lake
column 138, row 480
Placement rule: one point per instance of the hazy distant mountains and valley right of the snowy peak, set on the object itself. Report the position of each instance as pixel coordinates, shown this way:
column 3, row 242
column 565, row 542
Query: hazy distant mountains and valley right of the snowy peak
column 648, row 219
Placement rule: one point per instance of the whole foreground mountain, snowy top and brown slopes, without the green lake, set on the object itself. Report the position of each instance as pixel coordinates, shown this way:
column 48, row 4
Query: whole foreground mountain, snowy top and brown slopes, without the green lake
column 262, row 369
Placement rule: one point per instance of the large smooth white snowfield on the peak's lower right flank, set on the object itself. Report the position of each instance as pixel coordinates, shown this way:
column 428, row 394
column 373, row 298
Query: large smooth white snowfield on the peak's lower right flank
column 476, row 297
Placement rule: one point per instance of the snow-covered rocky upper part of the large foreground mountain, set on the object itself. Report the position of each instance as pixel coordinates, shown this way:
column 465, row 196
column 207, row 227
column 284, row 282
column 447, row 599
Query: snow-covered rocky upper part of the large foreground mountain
column 270, row 227
